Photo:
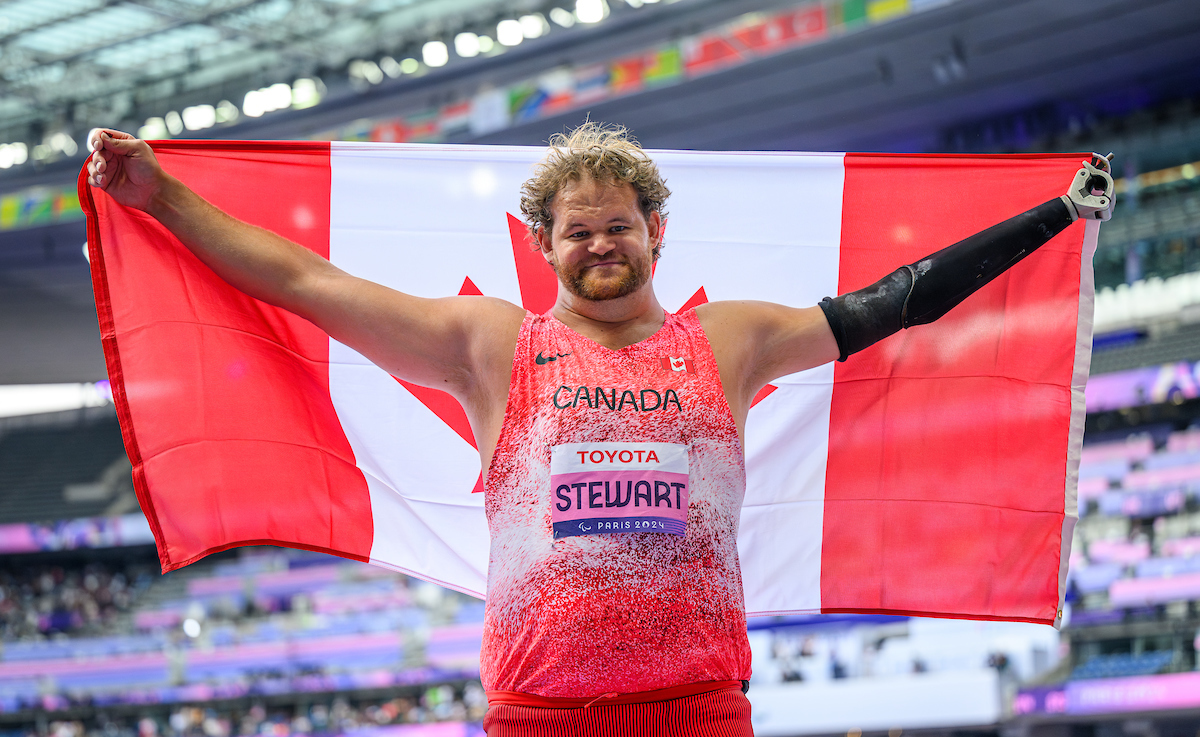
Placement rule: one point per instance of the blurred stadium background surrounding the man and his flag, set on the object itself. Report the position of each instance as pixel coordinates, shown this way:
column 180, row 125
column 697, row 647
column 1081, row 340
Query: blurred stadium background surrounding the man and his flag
column 275, row 643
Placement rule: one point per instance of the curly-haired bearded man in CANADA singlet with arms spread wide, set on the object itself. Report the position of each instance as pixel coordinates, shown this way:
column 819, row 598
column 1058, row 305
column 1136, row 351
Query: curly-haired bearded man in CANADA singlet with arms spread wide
column 615, row 597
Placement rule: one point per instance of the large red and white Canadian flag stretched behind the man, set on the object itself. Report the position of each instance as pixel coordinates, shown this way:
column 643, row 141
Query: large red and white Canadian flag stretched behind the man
column 934, row 474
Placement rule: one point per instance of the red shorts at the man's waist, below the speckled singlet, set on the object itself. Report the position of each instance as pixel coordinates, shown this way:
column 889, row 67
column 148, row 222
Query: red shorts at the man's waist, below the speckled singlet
column 723, row 711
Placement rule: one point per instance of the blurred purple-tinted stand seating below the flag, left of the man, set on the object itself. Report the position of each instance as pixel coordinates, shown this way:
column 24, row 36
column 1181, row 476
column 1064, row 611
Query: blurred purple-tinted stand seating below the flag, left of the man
column 273, row 622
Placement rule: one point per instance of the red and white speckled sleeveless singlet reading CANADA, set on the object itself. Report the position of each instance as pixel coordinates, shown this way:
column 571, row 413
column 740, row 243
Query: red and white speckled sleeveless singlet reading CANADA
column 614, row 501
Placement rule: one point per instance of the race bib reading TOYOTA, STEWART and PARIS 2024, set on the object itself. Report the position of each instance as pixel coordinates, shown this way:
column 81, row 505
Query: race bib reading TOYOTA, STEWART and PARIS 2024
column 610, row 488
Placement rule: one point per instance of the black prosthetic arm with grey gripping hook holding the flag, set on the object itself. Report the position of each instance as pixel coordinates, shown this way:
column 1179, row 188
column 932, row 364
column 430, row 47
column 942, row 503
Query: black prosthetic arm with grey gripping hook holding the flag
column 922, row 292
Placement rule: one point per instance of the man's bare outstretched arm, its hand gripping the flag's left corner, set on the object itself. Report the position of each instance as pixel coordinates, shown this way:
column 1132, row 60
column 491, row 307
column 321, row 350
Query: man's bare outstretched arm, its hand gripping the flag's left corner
column 436, row 343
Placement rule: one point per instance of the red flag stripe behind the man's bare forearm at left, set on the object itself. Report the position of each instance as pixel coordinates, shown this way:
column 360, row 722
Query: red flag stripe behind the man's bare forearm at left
column 249, row 416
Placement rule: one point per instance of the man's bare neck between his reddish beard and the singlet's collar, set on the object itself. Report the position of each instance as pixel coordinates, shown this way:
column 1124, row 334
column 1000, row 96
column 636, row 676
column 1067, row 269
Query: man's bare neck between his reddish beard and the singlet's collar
column 614, row 323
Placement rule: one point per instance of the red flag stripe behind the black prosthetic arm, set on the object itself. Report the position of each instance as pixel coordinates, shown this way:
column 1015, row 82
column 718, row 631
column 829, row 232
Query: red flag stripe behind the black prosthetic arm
column 926, row 508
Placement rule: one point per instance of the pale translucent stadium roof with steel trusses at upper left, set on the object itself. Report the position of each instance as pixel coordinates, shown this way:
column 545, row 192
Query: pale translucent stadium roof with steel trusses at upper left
column 68, row 62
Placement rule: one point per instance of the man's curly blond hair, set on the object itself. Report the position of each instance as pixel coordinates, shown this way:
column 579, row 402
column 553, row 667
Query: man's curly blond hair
column 605, row 153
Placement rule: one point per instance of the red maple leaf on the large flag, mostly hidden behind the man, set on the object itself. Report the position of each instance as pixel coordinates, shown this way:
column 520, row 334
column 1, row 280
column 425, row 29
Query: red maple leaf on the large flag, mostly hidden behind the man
column 539, row 289
